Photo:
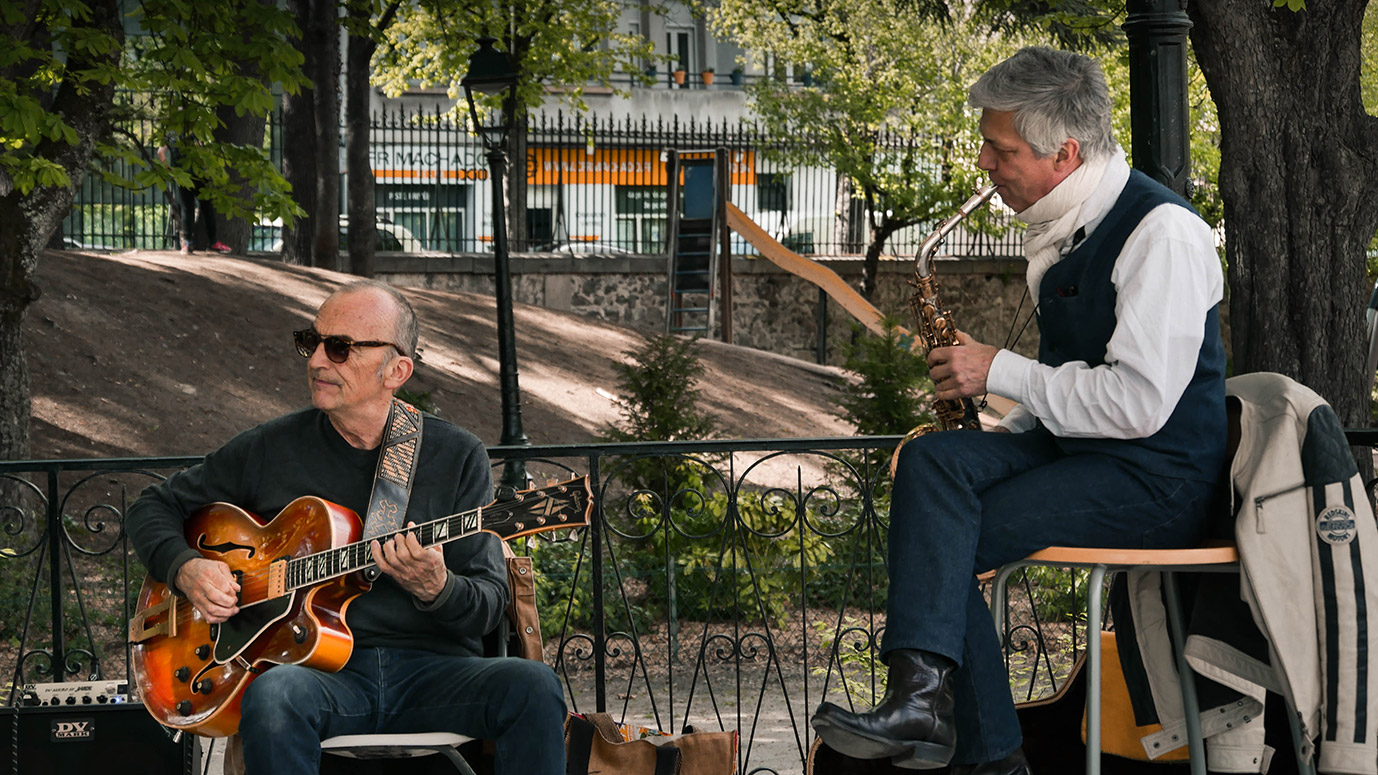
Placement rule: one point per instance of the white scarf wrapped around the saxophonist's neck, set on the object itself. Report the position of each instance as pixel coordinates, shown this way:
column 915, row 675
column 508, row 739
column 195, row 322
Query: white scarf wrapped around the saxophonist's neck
column 1081, row 198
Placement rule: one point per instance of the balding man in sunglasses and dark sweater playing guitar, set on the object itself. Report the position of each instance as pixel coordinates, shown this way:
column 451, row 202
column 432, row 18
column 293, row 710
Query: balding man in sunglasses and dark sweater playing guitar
column 417, row 663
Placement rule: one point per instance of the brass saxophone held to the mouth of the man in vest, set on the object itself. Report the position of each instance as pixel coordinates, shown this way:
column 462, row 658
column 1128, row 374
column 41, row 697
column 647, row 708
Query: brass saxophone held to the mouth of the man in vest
column 934, row 325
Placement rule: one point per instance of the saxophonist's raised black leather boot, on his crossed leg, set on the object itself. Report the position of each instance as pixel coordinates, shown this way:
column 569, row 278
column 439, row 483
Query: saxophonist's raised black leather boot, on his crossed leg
column 913, row 725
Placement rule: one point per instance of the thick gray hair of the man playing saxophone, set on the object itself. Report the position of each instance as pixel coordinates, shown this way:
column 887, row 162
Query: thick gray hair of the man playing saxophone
column 1053, row 96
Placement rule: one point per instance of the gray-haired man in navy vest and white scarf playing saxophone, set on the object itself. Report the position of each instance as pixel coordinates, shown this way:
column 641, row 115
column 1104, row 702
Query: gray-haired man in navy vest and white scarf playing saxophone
column 1118, row 441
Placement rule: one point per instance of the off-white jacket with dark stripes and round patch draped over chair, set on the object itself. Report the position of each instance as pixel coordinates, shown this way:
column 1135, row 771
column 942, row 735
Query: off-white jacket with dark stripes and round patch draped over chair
column 1302, row 525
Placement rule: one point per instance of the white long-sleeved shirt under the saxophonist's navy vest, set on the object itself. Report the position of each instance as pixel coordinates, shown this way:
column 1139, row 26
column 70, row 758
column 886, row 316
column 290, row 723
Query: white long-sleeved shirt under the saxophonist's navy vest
column 1168, row 278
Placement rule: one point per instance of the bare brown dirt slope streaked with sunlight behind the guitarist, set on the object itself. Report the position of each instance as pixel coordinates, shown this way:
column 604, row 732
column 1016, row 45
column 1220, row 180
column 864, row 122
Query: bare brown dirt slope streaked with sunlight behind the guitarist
column 155, row 354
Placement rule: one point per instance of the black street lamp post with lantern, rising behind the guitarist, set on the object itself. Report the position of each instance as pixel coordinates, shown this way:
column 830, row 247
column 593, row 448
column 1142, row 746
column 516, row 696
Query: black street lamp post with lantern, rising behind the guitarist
column 490, row 72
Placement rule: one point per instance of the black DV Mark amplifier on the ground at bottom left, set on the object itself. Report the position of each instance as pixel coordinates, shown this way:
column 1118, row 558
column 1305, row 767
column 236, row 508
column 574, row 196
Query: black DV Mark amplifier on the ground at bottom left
column 92, row 738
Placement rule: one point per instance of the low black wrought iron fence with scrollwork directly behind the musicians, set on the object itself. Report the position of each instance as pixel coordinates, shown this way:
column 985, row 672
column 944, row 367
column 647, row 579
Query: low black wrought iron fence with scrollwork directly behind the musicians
column 720, row 584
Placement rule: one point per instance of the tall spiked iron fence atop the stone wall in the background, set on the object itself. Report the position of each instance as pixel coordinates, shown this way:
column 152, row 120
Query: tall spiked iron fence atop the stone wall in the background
column 595, row 187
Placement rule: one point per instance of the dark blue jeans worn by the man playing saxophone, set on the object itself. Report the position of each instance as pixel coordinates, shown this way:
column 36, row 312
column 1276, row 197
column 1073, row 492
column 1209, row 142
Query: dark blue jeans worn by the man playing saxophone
column 969, row 503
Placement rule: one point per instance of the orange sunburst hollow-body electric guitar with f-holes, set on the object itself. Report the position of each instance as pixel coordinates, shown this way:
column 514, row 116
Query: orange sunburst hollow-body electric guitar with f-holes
column 297, row 574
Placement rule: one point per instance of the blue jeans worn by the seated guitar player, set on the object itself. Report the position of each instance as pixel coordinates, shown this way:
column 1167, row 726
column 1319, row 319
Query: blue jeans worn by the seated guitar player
column 519, row 704
